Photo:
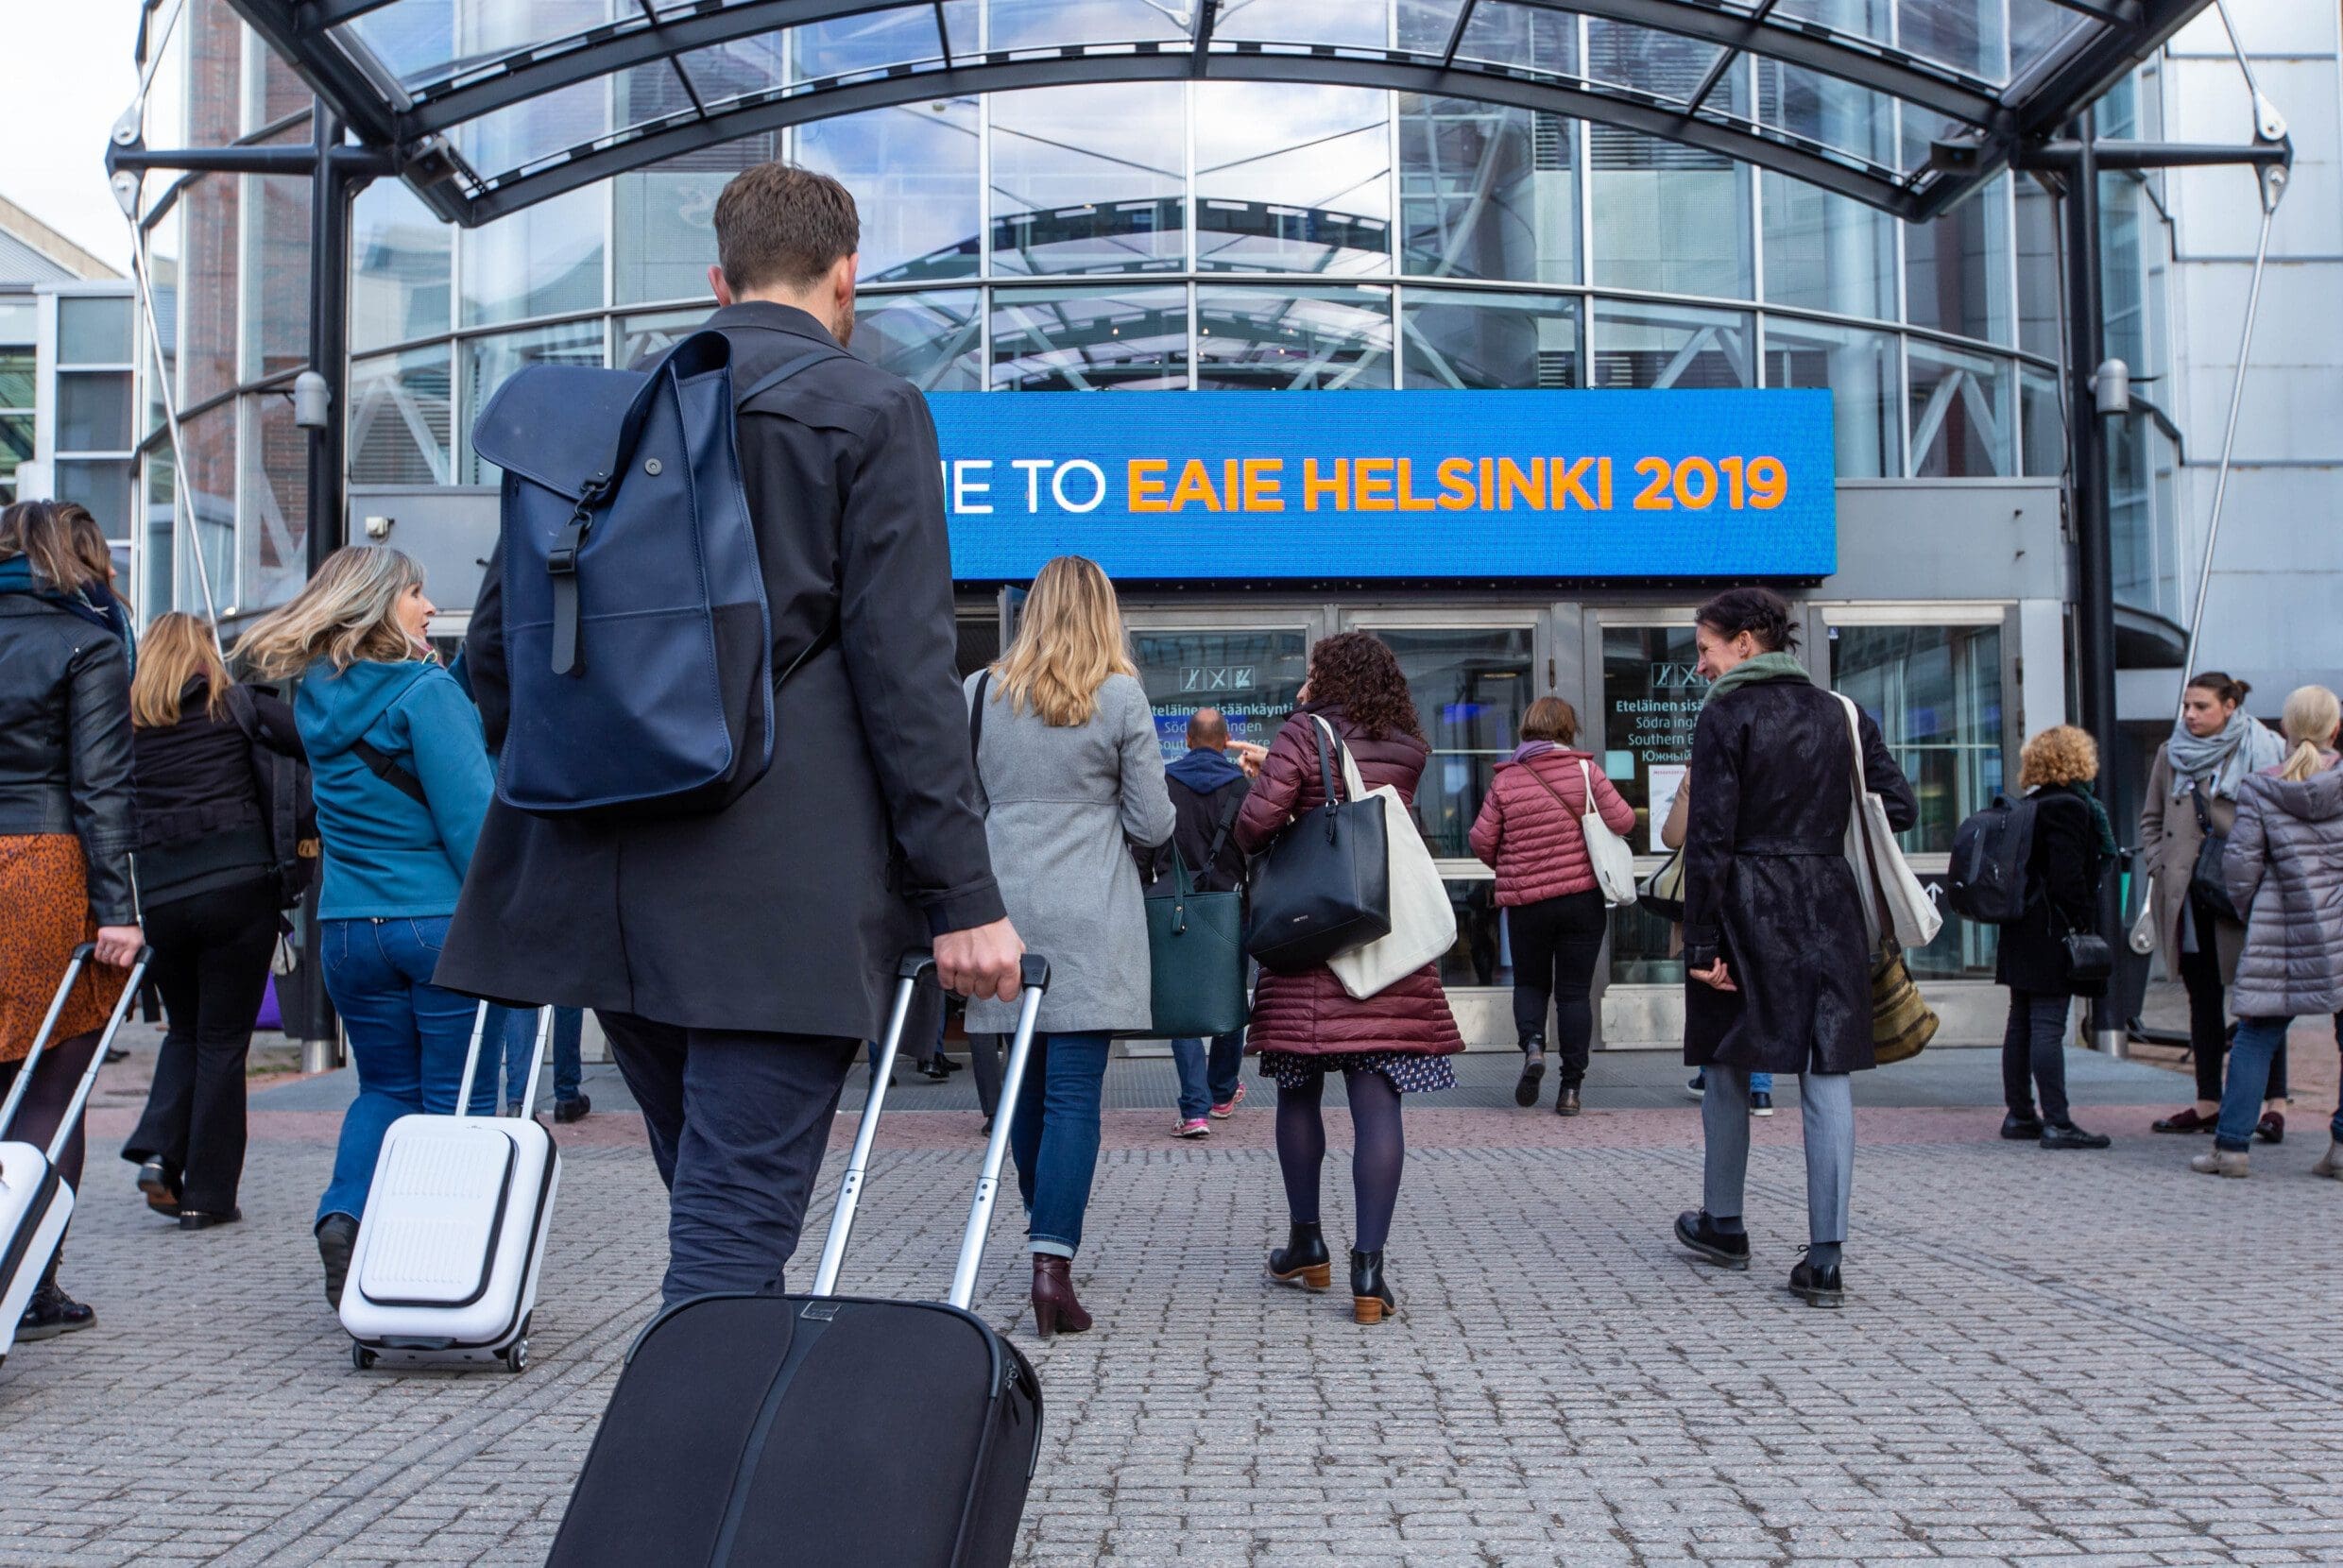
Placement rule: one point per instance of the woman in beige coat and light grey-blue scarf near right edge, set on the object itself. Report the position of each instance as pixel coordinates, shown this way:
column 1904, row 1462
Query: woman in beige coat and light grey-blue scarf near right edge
column 2213, row 749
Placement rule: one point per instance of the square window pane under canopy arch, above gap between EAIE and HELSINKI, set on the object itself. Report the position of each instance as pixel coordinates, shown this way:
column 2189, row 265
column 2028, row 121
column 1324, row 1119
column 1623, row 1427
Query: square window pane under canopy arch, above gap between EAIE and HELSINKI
column 1292, row 179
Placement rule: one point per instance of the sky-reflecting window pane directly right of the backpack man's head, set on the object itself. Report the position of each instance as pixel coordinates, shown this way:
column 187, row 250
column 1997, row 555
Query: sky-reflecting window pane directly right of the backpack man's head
column 915, row 179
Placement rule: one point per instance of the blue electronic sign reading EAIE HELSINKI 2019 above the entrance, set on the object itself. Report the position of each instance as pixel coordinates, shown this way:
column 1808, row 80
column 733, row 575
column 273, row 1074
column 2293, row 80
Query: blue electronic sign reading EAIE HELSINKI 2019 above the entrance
column 1393, row 484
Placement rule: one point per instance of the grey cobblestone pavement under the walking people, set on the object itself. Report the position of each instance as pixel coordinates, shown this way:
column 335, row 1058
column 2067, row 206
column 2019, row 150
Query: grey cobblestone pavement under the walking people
column 2086, row 1361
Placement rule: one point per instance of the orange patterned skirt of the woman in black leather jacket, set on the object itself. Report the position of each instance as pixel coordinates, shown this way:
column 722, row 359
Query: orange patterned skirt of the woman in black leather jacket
column 46, row 901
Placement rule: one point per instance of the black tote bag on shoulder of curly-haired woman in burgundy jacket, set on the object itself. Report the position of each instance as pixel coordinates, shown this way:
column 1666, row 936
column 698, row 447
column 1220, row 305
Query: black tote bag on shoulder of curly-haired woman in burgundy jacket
column 1325, row 885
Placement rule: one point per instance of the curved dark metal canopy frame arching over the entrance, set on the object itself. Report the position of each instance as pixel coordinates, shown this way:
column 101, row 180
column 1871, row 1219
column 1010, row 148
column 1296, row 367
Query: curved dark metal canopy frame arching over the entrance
column 418, row 125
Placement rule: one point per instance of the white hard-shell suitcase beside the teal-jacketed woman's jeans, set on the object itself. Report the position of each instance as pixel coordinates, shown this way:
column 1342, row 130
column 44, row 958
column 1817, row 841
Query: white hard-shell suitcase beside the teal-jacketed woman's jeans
column 456, row 1232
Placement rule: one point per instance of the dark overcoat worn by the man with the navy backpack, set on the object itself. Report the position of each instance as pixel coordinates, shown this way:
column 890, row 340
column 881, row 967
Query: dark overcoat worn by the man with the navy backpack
column 786, row 911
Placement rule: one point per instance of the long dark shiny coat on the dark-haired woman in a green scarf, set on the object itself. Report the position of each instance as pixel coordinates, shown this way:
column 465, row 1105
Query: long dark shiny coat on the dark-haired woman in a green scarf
column 1768, row 882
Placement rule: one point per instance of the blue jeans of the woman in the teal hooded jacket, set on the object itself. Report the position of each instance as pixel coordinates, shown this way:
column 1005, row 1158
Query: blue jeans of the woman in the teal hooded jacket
column 407, row 1039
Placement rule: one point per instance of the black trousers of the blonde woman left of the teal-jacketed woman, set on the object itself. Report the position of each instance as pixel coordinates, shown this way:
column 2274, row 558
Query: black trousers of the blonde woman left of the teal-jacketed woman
column 212, row 964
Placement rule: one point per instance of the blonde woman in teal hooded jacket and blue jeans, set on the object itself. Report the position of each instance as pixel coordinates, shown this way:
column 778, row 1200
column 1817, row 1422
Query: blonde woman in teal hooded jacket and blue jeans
column 402, row 784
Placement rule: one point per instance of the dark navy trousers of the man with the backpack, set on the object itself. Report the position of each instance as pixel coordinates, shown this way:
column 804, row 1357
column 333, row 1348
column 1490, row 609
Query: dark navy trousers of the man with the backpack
column 739, row 1124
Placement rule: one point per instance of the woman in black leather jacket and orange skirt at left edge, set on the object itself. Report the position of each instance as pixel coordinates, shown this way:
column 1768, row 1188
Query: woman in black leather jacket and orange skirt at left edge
column 64, row 833
